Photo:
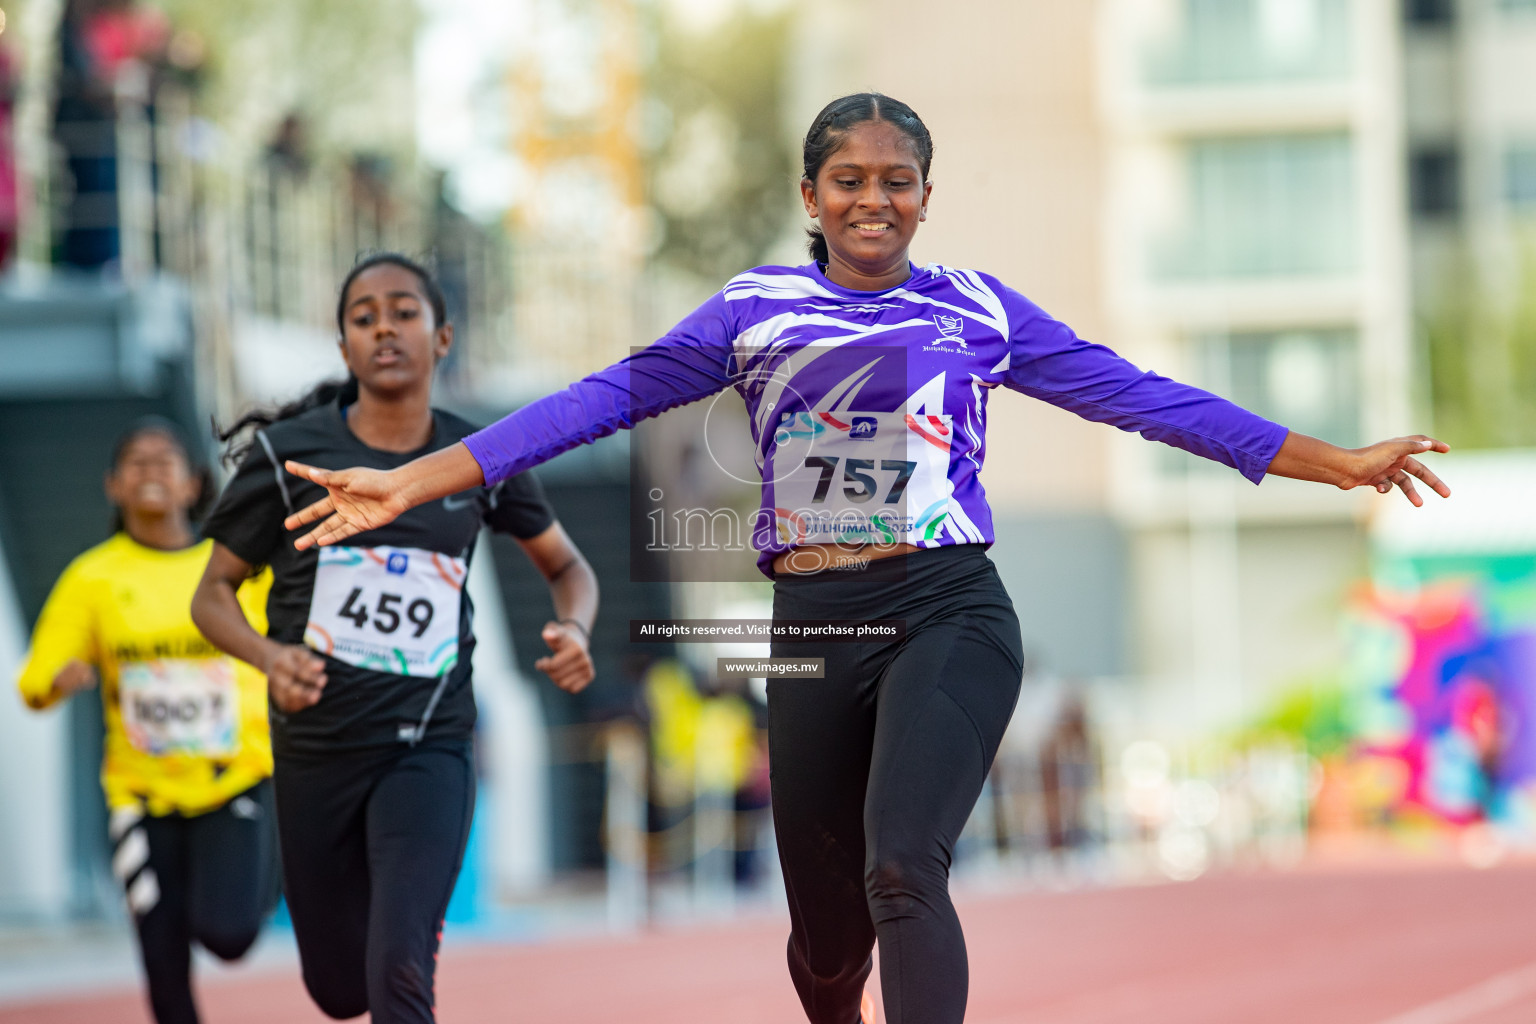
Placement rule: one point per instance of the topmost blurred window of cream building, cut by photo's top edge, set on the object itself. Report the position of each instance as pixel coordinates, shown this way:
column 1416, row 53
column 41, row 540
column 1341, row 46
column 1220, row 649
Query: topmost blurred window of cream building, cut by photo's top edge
column 1254, row 41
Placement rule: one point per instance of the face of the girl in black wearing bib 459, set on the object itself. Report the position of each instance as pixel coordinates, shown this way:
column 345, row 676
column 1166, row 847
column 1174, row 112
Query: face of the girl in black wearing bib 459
column 391, row 340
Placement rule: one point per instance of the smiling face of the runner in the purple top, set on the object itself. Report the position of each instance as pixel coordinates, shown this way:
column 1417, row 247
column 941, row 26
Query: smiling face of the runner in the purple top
column 869, row 197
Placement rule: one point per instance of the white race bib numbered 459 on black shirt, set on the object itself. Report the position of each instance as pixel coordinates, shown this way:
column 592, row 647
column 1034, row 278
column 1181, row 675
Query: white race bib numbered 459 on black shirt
column 392, row 610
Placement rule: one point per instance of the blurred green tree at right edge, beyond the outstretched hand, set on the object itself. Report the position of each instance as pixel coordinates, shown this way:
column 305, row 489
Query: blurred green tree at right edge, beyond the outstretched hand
column 1481, row 348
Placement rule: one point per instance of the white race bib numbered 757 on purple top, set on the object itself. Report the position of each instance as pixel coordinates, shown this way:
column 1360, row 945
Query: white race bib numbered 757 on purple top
column 861, row 478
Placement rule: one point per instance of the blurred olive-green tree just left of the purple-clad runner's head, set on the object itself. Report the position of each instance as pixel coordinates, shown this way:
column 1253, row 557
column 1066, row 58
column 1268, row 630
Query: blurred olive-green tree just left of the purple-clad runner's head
column 715, row 139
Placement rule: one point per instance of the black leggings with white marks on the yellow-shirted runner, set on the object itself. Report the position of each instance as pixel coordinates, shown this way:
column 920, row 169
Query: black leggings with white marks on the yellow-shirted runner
column 208, row 879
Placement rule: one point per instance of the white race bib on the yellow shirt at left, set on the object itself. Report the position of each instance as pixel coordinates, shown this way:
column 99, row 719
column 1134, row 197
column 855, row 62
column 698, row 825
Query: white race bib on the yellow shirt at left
column 180, row 707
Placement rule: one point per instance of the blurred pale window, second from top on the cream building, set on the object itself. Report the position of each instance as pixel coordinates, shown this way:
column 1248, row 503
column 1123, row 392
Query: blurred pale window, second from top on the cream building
column 1265, row 206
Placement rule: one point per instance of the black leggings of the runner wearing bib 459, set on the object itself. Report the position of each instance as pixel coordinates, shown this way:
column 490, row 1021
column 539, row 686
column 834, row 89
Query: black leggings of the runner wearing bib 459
column 372, row 842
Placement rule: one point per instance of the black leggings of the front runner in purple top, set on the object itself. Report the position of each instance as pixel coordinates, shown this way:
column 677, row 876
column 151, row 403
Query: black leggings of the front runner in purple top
column 876, row 770
